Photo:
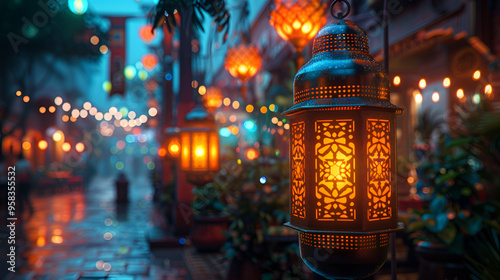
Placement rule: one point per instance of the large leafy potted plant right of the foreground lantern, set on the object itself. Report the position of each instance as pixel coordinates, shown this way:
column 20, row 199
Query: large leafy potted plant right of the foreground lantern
column 455, row 174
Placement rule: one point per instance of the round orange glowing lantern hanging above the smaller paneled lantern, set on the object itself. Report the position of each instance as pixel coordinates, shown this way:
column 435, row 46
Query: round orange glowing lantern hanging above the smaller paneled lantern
column 243, row 61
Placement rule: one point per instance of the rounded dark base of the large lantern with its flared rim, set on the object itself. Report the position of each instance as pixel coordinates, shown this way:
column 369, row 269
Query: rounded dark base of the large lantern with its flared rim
column 344, row 255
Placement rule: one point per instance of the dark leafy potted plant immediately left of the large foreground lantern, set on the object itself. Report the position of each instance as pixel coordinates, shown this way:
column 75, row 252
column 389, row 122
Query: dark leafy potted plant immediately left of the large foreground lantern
column 259, row 246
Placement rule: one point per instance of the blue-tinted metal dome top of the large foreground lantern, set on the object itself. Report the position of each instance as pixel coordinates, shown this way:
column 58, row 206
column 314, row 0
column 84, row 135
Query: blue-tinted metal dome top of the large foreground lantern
column 342, row 74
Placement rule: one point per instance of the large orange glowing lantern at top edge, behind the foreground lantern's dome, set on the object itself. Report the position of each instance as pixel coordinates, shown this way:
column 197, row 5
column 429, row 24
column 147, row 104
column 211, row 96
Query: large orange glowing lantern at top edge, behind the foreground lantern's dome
column 300, row 22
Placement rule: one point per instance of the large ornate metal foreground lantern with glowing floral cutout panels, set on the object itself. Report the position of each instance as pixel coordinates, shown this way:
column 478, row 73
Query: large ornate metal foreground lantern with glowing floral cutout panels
column 343, row 193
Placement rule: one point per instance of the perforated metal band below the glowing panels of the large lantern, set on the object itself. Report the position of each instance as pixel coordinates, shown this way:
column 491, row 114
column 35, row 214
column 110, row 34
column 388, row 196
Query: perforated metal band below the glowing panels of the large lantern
column 344, row 241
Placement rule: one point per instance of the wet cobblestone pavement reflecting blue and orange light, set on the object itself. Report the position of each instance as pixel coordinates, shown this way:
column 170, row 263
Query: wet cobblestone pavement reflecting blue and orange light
column 85, row 235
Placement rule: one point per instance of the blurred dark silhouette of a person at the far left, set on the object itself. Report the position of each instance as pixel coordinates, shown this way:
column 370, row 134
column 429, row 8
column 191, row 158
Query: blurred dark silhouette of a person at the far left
column 23, row 185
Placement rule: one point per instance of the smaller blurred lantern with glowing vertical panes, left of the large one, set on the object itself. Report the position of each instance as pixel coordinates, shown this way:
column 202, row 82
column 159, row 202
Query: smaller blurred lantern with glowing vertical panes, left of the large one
column 199, row 147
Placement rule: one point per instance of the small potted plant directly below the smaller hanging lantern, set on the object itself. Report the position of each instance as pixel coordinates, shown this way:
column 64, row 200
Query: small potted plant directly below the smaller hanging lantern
column 210, row 217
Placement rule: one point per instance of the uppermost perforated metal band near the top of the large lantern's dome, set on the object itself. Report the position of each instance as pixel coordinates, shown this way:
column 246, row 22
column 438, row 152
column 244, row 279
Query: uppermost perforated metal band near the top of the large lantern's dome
column 340, row 42
